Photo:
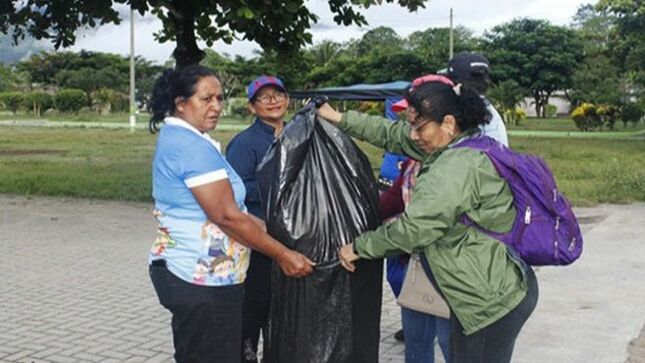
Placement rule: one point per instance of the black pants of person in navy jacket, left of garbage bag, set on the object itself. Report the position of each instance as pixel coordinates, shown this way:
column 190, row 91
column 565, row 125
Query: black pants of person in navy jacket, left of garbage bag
column 257, row 299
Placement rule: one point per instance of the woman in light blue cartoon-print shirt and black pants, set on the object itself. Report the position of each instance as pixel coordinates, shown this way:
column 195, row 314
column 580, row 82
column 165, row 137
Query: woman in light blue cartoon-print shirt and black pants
column 198, row 261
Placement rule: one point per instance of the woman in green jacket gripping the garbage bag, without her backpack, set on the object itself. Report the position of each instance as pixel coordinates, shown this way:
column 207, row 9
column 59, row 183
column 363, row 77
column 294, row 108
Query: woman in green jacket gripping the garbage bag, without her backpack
column 491, row 292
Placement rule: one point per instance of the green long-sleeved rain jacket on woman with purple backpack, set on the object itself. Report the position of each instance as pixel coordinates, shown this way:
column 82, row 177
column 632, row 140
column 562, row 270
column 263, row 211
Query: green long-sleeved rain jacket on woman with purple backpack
column 480, row 279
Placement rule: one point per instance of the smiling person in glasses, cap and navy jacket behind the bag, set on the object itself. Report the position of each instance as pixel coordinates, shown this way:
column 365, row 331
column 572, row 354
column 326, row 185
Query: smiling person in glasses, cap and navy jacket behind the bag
column 268, row 101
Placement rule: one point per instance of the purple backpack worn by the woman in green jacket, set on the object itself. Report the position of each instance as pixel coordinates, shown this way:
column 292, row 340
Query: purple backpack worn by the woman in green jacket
column 545, row 231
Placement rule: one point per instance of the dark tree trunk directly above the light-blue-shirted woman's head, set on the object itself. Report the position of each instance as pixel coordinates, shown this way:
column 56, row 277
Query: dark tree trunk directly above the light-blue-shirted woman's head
column 187, row 52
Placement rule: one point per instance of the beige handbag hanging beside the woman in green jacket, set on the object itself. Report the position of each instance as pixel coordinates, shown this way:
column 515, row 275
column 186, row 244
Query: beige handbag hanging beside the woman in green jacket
column 419, row 294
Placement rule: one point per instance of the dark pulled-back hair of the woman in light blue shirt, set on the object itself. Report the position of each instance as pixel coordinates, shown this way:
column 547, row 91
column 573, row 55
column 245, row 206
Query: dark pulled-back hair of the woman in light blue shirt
column 171, row 84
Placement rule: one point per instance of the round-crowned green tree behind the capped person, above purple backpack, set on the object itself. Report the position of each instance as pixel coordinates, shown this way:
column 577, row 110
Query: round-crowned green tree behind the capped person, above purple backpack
column 539, row 56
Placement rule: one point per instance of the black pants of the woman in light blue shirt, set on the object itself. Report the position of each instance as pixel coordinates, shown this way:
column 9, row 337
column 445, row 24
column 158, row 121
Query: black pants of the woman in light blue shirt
column 206, row 320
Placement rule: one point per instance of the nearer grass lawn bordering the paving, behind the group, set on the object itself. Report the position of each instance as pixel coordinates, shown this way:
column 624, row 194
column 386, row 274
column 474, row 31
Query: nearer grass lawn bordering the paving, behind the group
column 115, row 163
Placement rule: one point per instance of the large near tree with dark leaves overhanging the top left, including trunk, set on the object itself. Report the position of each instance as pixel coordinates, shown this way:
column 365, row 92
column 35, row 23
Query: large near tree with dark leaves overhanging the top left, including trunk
column 282, row 28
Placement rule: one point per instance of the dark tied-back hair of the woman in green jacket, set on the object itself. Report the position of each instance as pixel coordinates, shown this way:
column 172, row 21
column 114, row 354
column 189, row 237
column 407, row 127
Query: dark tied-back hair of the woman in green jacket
column 434, row 100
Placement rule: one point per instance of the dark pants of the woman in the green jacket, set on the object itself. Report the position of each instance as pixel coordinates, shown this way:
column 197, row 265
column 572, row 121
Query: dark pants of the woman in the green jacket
column 495, row 343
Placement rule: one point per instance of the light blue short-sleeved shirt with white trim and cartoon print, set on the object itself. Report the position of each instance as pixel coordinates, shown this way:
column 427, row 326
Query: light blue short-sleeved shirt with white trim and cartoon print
column 195, row 249
